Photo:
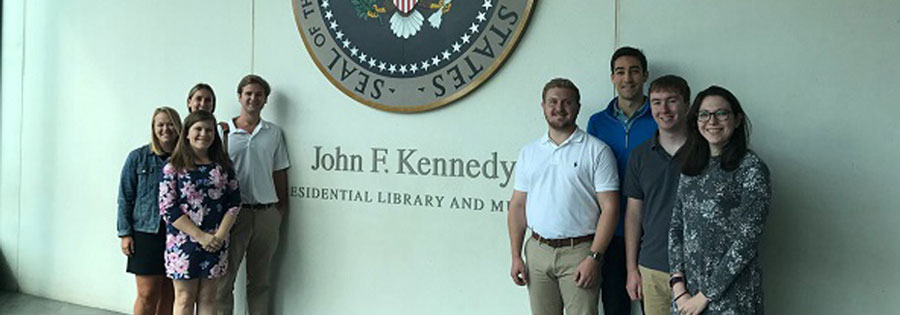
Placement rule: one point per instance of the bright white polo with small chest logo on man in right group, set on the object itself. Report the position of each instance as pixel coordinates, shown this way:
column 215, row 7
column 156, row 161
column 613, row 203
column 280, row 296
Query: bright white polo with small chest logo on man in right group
column 561, row 183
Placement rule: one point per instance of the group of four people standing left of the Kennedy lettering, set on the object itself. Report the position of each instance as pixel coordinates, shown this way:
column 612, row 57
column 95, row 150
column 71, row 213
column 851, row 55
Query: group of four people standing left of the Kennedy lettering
column 198, row 198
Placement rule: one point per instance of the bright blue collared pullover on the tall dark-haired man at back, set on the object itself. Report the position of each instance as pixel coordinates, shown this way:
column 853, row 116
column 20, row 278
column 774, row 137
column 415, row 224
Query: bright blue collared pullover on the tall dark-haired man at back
column 622, row 134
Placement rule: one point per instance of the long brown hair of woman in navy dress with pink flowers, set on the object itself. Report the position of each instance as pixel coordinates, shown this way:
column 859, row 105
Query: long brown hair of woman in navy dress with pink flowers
column 184, row 158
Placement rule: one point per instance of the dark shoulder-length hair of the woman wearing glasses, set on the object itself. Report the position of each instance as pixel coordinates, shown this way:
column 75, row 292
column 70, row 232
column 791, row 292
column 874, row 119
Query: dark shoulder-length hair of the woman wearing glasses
column 695, row 152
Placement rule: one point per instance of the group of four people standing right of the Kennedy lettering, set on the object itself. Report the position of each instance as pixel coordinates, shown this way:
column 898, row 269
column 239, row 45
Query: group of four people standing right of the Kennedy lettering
column 695, row 201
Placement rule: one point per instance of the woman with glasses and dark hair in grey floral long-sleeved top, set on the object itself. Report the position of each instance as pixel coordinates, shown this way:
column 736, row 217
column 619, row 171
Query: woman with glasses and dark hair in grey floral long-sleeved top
column 720, row 210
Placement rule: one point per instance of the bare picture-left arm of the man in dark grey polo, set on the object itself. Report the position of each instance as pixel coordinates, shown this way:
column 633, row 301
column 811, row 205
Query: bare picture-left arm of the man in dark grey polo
column 633, row 232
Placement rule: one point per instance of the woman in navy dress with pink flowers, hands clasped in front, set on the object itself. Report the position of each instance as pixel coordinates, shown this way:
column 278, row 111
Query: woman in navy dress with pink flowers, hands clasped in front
column 199, row 200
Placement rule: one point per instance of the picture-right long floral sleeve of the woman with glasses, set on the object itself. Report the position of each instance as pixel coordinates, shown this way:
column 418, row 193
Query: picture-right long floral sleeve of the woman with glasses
column 754, row 208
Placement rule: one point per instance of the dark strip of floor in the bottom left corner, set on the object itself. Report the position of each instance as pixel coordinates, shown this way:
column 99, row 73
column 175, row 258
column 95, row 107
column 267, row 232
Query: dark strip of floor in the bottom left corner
column 12, row 303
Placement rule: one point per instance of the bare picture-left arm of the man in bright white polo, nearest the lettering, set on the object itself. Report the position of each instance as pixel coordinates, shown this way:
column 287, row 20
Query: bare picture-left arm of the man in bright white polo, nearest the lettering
column 516, row 224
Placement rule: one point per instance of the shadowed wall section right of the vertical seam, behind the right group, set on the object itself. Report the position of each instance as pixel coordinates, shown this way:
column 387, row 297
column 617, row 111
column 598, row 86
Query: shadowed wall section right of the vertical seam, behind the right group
column 818, row 80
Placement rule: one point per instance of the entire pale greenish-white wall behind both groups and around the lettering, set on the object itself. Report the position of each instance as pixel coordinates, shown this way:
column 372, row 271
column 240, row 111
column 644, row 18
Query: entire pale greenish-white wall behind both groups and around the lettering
column 816, row 77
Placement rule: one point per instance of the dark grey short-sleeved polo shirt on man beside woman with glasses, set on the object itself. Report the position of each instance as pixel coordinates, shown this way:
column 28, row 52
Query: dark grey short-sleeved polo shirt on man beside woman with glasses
column 652, row 177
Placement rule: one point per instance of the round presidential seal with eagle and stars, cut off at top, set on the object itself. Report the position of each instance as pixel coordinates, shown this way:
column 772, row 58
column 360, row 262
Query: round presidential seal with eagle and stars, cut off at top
column 410, row 55
